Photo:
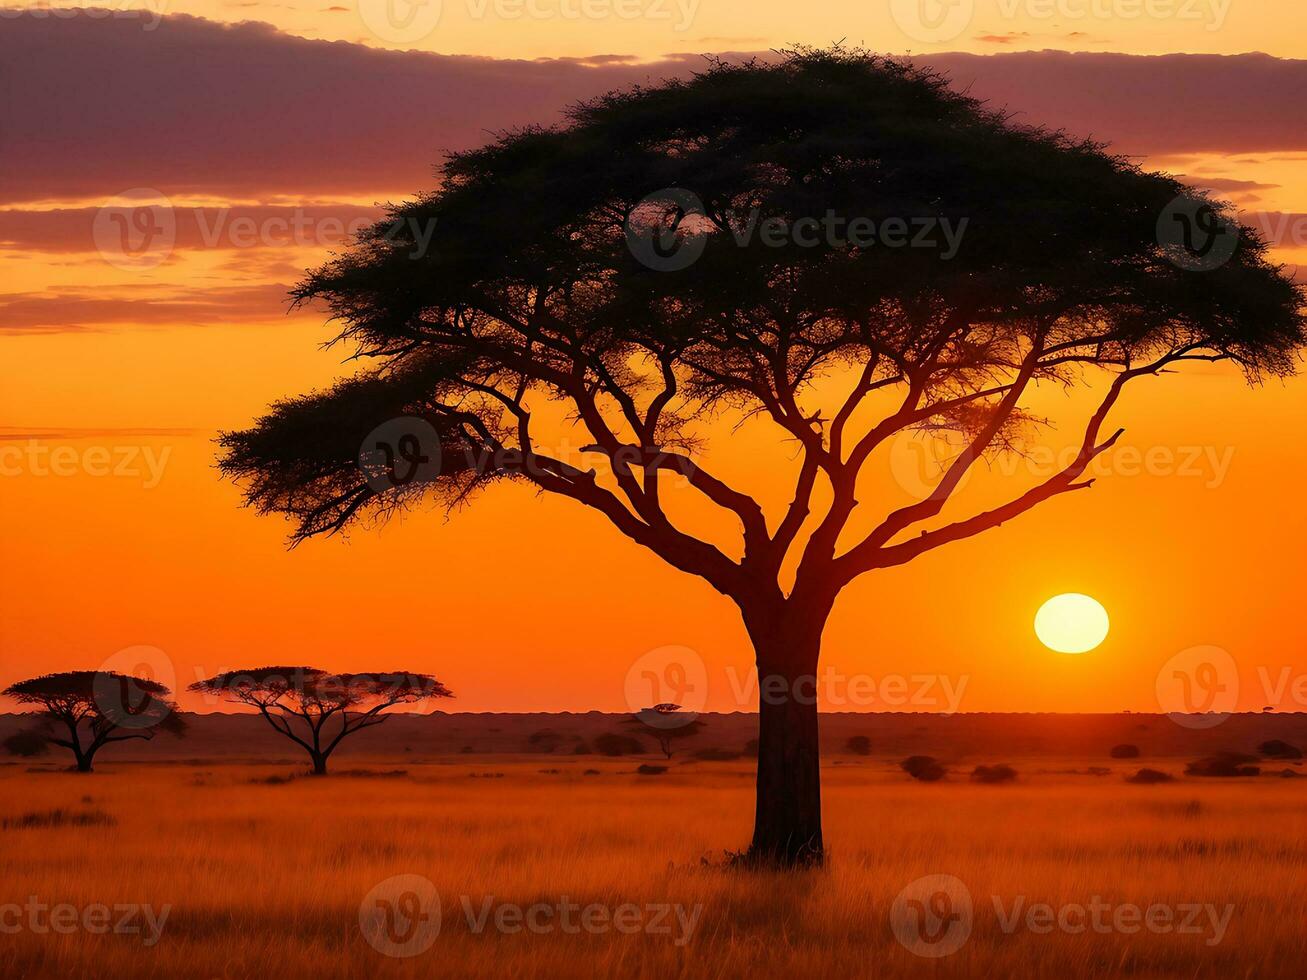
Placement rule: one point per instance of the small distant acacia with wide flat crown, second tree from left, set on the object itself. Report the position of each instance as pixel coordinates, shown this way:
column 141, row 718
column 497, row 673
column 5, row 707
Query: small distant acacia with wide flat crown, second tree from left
column 317, row 710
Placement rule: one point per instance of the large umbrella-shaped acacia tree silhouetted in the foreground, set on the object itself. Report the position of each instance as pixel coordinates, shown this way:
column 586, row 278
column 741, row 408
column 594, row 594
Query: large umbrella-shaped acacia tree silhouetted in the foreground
column 563, row 270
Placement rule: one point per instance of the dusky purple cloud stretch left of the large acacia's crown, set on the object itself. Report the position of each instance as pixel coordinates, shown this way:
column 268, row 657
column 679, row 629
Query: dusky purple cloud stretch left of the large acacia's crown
column 93, row 108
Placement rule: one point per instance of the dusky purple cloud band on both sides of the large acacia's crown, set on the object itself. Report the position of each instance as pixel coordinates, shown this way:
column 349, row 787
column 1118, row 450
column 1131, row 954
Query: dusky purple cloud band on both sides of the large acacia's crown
column 93, row 108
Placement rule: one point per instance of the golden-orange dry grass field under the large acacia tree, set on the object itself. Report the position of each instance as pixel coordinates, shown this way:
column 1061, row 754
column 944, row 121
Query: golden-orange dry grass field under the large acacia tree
column 266, row 879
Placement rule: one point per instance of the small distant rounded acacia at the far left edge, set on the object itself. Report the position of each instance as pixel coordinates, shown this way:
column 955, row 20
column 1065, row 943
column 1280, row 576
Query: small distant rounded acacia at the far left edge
column 86, row 710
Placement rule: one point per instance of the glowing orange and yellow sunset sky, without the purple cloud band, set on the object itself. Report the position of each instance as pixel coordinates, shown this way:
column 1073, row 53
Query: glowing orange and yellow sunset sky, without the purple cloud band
column 131, row 540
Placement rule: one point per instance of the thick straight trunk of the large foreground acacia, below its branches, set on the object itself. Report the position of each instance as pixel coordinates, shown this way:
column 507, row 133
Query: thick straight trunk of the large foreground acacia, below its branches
column 787, row 821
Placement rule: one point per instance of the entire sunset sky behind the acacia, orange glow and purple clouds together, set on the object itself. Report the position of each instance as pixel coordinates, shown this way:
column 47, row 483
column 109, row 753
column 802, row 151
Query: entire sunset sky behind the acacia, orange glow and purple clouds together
column 147, row 363
